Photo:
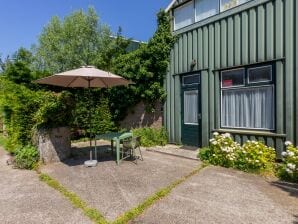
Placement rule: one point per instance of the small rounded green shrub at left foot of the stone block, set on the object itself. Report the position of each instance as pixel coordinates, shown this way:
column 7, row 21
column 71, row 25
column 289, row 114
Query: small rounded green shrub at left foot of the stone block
column 26, row 157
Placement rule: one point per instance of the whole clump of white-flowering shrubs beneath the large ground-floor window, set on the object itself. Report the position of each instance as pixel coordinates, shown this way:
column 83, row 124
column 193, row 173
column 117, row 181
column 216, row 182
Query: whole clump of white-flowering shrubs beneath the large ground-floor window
column 252, row 156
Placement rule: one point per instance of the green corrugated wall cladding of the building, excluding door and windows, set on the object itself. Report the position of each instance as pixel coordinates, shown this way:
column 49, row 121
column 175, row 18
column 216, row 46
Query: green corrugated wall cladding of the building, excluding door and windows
column 264, row 30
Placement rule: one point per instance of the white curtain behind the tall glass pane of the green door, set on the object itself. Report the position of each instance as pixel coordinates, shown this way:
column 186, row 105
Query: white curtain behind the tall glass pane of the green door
column 191, row 107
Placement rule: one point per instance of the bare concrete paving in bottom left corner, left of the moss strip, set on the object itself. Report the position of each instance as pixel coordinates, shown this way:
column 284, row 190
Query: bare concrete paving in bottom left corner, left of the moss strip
column 24, row 199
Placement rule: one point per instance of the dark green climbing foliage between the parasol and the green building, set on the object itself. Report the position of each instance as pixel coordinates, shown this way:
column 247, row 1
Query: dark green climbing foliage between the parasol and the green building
column 147, row 67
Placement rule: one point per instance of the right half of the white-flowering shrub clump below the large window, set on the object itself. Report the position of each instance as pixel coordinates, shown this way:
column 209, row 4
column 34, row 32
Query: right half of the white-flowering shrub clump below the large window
column 255, row 156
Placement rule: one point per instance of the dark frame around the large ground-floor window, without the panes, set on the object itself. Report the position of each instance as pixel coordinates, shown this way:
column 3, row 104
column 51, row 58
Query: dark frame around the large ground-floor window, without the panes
column 247, row 85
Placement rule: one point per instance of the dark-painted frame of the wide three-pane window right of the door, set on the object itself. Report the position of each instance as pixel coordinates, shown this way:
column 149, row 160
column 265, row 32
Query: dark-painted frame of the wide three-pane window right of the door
column 248, row 85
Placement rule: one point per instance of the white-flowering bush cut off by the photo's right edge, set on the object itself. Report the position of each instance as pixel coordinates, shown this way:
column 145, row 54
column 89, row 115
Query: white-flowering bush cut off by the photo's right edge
column 289, row 168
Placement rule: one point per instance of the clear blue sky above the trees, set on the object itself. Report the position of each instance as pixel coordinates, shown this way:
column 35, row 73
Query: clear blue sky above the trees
column 21, row 21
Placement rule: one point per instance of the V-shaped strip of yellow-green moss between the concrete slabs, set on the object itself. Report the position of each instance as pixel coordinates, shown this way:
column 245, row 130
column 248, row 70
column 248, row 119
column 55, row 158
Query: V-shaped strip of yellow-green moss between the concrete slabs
column 131, row 214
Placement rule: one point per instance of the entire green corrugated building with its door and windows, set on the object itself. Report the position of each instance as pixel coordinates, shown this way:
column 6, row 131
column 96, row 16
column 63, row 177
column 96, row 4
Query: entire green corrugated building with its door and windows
column 233, row 68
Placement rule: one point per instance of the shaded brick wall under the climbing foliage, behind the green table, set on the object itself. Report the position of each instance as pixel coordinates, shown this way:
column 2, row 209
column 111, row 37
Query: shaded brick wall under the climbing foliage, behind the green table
column 139, row 117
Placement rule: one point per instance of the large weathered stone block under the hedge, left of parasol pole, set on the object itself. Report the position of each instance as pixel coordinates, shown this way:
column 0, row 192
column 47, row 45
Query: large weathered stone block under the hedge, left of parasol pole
column 54, row 145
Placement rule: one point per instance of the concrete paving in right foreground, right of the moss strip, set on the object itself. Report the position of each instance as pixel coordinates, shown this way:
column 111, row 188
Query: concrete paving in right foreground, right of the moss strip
column 219, row 195
